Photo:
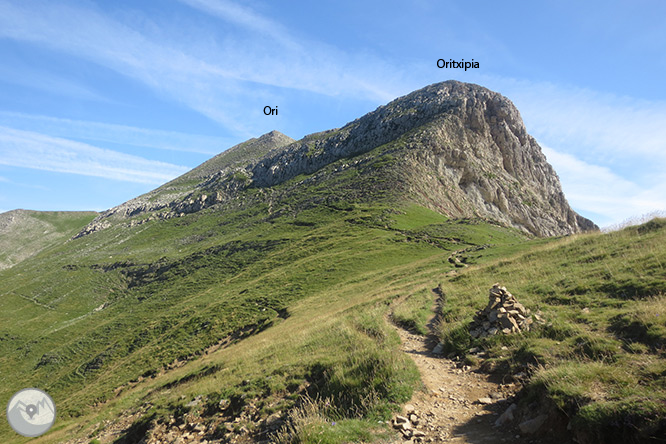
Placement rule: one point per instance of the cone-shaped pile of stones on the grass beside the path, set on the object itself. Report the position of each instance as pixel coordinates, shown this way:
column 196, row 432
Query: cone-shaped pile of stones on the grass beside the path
column 503, row 314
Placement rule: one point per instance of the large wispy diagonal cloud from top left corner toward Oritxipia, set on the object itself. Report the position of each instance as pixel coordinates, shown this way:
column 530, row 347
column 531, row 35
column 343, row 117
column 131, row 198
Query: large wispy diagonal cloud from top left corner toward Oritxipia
column 228, row 77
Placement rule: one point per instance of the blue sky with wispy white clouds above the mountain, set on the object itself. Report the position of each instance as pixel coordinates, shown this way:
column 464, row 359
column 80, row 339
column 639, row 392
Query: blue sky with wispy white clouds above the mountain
column 102, row 101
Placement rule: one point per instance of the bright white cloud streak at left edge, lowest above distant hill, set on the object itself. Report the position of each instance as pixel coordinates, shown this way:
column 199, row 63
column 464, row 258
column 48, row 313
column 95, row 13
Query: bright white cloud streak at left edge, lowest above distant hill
column 36, row 151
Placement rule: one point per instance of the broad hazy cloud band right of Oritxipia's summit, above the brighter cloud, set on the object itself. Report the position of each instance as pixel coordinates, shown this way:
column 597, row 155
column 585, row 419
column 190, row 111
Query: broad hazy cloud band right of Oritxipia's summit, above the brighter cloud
column 596, row 125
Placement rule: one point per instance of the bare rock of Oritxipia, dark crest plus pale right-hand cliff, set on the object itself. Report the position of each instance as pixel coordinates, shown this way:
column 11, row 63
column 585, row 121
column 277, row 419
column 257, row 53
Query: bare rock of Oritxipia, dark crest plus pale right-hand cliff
column 463, row 150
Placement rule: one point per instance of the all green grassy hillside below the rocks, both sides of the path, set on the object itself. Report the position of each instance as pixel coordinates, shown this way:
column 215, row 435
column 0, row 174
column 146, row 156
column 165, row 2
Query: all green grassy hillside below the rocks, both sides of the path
column 256, row 312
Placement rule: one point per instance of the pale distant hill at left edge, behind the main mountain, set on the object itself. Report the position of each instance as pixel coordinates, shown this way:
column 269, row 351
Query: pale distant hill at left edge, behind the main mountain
column 24, row 232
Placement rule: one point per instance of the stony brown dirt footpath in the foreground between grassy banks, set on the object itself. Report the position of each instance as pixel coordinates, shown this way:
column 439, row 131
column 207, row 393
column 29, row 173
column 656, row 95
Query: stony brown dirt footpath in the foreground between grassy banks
column 459, row 405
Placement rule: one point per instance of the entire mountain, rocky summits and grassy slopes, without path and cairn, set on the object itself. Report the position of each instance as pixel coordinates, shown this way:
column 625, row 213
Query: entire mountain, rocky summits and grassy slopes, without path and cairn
column 247, row 300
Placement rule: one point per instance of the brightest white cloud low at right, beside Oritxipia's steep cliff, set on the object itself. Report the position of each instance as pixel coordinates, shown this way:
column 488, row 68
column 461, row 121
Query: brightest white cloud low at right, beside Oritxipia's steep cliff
column 599, row 190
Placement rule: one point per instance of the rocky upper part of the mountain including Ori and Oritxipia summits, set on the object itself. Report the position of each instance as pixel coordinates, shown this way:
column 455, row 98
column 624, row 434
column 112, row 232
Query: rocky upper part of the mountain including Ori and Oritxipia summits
column 457, row 148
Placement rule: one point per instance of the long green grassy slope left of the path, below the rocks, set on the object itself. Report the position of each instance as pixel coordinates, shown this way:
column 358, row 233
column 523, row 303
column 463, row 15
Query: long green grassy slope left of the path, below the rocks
column 186, row 284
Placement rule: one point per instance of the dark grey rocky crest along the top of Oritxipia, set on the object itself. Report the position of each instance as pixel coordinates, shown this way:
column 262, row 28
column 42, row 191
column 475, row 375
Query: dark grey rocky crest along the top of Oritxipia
column 473, row 105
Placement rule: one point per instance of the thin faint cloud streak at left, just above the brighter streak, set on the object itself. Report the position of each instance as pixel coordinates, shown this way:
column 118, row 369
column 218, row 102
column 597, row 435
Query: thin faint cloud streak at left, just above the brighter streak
column 119, row 134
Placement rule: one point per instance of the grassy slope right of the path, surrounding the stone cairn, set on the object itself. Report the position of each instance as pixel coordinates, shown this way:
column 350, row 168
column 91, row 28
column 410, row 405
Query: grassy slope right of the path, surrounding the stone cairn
column 601, row 357
